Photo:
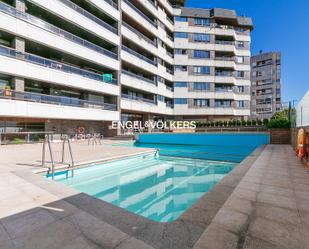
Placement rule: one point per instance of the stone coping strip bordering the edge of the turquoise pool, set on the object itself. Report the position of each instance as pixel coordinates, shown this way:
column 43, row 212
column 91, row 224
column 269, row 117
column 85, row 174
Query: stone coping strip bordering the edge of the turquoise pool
column 156, row 234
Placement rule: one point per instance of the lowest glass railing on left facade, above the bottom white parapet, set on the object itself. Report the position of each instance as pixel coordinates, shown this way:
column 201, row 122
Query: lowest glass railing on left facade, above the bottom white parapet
column 55, row 100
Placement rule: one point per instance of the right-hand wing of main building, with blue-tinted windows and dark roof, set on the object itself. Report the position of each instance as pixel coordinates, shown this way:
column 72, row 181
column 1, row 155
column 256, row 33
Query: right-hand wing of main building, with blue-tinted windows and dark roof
column 212, row 64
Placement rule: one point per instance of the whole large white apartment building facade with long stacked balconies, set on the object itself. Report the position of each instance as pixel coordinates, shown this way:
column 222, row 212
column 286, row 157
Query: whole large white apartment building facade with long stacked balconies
column 66, row 64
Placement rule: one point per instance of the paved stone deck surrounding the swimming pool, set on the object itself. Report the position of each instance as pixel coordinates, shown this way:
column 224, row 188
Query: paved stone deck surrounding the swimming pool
column 262, row 204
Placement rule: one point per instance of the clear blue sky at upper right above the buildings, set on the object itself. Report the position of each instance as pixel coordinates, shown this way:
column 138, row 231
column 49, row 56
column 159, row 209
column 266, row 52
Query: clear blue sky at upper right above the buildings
column 280, row 25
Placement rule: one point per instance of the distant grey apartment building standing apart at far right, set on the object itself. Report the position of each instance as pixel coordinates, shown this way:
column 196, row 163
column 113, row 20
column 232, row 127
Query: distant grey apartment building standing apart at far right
column 266, row 85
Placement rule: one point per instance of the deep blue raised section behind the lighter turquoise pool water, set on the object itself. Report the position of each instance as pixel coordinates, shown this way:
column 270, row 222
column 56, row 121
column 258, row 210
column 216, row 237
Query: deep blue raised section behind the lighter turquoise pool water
column 233, row 147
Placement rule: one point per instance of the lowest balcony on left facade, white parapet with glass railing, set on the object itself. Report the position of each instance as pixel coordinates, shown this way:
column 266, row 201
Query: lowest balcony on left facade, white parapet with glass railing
column 28, row 105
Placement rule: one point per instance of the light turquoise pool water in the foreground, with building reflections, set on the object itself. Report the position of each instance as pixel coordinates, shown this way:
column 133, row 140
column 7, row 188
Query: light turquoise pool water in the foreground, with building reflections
column 158, row 188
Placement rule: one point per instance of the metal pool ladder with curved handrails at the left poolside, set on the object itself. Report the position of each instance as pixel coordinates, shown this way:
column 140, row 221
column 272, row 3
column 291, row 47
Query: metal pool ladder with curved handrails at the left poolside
column 51, row 169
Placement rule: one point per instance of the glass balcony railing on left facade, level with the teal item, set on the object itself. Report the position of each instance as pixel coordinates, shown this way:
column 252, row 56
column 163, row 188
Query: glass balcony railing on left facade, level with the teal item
column 9, row 52
